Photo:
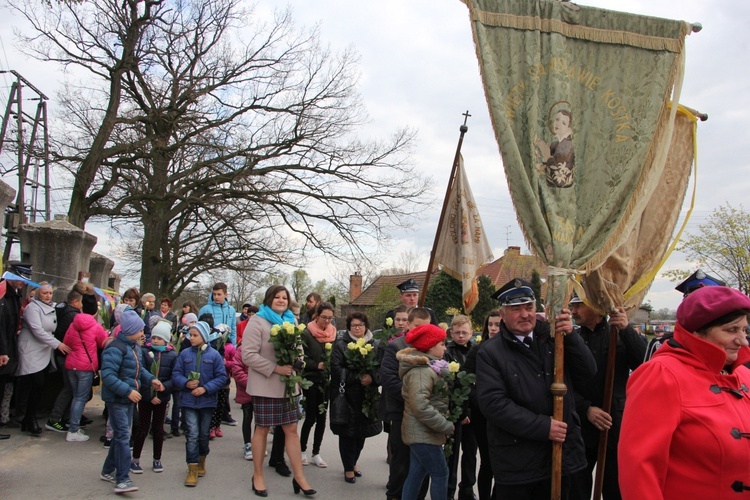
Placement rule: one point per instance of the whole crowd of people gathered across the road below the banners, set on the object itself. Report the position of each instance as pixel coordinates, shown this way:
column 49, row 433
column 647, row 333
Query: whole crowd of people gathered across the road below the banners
column 157, row 368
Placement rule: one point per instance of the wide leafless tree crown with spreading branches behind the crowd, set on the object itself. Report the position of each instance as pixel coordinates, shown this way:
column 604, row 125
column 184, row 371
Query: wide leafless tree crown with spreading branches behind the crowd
column 229, row 143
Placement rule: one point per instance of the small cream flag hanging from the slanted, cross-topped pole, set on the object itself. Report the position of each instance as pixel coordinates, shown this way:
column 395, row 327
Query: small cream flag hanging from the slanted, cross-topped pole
column 462, row 246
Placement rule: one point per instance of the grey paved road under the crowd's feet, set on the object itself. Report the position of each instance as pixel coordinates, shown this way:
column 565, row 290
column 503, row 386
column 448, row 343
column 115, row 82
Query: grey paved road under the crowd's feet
column 48, row 467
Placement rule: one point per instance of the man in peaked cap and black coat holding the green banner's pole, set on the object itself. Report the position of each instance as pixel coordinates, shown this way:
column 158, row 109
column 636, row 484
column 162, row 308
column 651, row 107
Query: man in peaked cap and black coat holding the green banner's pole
column 515, row 369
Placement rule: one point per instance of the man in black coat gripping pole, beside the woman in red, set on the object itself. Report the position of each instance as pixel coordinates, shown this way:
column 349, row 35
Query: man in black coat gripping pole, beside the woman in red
column 631, row 348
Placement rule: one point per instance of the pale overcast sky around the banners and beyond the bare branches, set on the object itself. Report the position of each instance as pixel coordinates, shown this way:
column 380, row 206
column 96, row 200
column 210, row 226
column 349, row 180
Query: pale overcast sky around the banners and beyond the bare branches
column 419, row 69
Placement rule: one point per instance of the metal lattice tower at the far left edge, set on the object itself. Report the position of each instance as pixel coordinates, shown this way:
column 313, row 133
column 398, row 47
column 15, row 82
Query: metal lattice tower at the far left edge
column 29, row 140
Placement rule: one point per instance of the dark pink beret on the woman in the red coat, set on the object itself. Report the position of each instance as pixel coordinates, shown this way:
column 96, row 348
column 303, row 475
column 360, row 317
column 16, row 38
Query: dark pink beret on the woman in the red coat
column 709, row 303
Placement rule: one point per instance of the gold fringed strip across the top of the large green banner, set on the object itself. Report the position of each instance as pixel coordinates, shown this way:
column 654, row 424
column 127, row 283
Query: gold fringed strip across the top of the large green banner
column 581, row 32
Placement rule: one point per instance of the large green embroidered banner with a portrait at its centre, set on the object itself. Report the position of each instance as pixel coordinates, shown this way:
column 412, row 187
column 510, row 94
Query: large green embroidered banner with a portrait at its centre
column 578, row 98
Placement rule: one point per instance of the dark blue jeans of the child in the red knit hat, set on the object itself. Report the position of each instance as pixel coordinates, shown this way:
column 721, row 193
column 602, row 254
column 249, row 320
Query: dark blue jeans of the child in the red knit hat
column 426, row 459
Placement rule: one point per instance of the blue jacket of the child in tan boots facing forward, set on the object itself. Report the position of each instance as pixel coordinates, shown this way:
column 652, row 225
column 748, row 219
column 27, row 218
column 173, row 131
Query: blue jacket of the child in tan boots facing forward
column 213, row 377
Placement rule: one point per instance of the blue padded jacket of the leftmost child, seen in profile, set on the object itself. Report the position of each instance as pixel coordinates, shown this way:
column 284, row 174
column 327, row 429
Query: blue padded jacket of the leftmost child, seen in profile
column 123, row 370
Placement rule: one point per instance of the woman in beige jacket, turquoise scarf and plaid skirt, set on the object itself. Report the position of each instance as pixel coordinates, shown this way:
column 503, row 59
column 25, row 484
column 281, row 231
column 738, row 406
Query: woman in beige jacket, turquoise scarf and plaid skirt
column 270, row 404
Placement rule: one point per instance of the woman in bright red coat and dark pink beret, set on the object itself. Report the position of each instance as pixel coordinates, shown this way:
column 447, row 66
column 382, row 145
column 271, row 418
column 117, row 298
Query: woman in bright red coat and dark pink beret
column 686, row 428
